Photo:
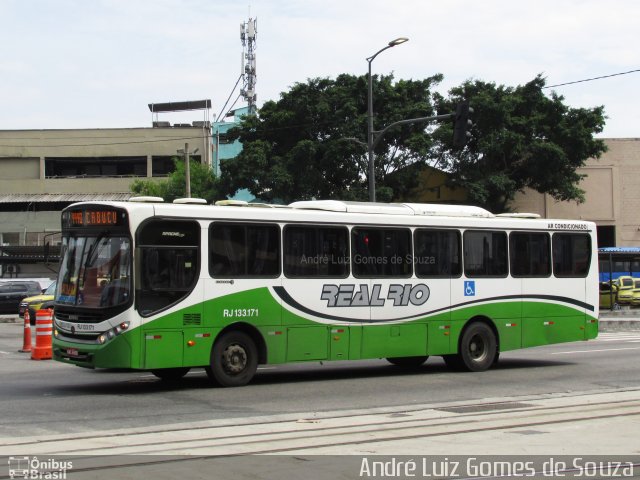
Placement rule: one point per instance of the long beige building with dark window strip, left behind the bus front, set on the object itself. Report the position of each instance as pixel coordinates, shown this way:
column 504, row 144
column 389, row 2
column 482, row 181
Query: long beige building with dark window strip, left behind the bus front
column 43, row 171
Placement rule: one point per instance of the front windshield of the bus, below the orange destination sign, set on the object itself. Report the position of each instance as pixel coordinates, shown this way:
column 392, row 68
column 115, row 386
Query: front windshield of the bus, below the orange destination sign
column 95, row 271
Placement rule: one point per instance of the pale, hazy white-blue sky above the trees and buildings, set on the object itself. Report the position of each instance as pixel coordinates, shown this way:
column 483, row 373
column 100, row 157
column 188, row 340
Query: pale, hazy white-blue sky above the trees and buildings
column 99, row 63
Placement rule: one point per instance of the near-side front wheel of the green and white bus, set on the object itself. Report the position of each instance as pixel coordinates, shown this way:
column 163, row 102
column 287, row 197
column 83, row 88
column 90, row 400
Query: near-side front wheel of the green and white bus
column 234, row 360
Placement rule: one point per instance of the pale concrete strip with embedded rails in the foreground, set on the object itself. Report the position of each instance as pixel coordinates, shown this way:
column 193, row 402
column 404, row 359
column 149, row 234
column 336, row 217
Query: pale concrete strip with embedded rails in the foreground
column 573, row 423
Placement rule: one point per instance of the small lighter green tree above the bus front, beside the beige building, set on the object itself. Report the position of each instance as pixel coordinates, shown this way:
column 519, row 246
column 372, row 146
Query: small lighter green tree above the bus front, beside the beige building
column 203, row 183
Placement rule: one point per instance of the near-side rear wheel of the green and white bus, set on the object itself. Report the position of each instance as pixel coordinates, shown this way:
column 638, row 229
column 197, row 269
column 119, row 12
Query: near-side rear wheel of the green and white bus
column 478, row 348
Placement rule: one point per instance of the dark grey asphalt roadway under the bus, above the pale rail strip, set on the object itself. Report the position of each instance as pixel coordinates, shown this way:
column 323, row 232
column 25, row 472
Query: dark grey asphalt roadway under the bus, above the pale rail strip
column 46, row 397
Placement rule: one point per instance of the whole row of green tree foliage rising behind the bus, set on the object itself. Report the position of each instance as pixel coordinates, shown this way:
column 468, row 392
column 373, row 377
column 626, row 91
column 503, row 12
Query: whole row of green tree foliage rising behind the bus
column 311, row 143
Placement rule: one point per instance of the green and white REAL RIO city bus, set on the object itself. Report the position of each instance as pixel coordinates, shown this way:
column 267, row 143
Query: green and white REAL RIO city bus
column 166, row 287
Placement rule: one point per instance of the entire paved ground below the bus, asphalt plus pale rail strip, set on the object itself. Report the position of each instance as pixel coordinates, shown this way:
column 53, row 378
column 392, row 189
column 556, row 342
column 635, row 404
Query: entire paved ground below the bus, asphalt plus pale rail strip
column 573, row 399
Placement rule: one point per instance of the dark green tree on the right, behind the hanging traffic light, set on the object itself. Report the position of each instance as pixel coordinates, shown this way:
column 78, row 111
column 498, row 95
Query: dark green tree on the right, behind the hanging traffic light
column 520, row 138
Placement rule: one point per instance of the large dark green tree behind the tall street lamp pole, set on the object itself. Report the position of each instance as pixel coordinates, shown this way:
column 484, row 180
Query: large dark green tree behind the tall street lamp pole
column 312, row 142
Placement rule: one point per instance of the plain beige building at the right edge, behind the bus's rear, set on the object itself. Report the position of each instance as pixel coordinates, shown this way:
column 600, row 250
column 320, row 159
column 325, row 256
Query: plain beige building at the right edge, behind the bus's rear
column 612, row 199
